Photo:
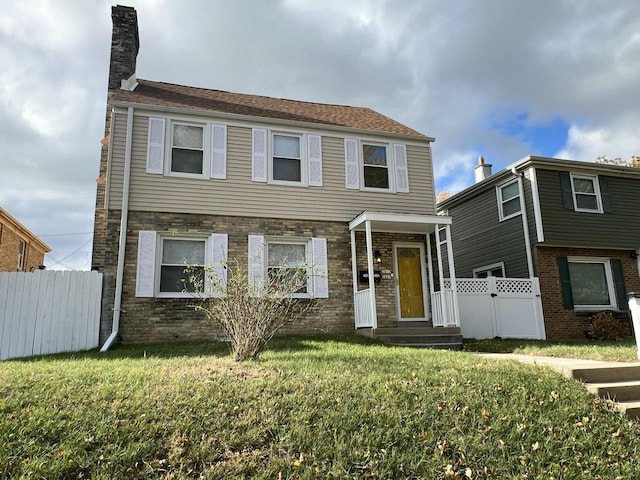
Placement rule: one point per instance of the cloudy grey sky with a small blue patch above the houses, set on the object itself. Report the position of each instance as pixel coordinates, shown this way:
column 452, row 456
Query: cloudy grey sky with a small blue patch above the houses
column 502, row 79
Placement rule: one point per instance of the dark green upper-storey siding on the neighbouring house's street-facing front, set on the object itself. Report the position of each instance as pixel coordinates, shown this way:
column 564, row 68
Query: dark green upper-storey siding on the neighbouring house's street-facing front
column 619, row 228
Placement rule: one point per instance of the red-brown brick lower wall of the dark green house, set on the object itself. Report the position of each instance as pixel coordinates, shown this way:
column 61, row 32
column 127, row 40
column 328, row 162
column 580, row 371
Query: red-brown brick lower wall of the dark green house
column 561, row 323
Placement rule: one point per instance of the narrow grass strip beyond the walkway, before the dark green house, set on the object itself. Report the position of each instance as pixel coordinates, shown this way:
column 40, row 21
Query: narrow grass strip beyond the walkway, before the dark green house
column 611, row 351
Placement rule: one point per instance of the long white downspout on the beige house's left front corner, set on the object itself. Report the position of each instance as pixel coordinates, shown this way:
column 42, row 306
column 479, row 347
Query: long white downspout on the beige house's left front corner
column 117, row 302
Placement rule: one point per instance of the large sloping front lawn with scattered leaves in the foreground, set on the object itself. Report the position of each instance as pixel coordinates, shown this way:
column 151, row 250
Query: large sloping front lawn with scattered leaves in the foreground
column 329, row 407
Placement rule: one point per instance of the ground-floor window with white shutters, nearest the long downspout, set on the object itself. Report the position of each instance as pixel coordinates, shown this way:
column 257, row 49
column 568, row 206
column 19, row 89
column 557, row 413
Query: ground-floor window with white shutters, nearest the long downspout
column 173, row 265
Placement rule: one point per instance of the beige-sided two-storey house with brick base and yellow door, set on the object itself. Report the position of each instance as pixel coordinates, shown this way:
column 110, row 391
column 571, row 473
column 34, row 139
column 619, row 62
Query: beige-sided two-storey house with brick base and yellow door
column 209, row 175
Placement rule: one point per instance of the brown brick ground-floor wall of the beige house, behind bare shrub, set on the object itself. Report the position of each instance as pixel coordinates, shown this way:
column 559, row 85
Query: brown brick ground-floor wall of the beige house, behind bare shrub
column 161, row 319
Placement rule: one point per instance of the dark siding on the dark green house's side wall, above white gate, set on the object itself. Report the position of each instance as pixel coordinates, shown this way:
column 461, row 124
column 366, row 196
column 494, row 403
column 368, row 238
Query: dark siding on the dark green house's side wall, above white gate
column 480, row 239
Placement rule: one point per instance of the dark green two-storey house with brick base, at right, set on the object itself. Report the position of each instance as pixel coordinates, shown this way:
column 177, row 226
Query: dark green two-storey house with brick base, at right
column 572, row 224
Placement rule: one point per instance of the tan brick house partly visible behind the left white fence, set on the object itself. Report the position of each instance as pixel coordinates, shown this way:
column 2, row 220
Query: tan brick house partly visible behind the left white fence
column 20, row 250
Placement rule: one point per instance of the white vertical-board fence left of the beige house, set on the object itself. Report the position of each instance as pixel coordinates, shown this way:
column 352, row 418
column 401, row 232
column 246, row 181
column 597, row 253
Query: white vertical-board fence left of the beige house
column 48, row 312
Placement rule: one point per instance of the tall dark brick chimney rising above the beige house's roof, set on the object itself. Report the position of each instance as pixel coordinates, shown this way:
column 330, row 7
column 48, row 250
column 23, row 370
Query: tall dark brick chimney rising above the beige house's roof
column 125, row 44
